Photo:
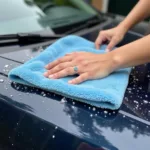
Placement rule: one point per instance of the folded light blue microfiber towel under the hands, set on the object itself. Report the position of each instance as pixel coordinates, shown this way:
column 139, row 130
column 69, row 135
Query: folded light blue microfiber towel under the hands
column 105, row 93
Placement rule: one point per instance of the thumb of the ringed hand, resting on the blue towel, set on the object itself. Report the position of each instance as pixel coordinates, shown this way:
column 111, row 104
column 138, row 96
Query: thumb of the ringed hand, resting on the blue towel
column 83, row 77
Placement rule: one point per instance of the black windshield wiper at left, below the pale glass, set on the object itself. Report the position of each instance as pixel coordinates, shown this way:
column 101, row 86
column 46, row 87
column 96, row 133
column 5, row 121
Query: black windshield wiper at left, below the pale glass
column 26, row 38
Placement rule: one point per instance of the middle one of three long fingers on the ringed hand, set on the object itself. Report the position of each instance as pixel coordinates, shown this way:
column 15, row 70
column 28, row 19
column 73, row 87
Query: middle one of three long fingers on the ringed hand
column 58, row 68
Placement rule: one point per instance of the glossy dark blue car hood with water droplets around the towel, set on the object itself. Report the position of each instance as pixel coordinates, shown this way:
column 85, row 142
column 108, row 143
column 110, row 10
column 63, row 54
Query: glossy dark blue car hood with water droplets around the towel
column 35, row 119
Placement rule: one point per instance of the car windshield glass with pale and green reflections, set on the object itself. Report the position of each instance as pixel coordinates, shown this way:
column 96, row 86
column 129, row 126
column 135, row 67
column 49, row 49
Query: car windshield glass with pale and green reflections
column 36, row 15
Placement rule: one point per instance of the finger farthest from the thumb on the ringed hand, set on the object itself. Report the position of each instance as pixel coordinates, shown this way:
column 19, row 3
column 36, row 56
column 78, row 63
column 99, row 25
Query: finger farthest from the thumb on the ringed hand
column 59, row 61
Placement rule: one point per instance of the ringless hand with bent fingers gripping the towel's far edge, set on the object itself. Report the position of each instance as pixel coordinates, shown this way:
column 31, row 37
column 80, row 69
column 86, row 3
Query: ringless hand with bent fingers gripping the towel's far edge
column 114, row 36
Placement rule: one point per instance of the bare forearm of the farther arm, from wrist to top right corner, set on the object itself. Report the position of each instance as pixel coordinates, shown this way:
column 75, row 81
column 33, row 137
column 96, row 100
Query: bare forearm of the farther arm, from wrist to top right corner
column 139, row 13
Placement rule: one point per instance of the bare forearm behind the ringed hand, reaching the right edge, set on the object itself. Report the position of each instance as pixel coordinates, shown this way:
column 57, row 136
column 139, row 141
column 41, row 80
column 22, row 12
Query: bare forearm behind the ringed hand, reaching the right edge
column 132, row 54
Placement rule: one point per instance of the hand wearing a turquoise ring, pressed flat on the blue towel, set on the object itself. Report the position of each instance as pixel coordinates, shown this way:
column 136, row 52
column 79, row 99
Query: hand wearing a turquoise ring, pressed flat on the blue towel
column 86, row 65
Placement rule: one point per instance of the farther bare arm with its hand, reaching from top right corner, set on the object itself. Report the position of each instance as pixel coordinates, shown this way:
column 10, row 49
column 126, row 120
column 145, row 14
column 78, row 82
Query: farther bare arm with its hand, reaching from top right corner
column 115, row 35
